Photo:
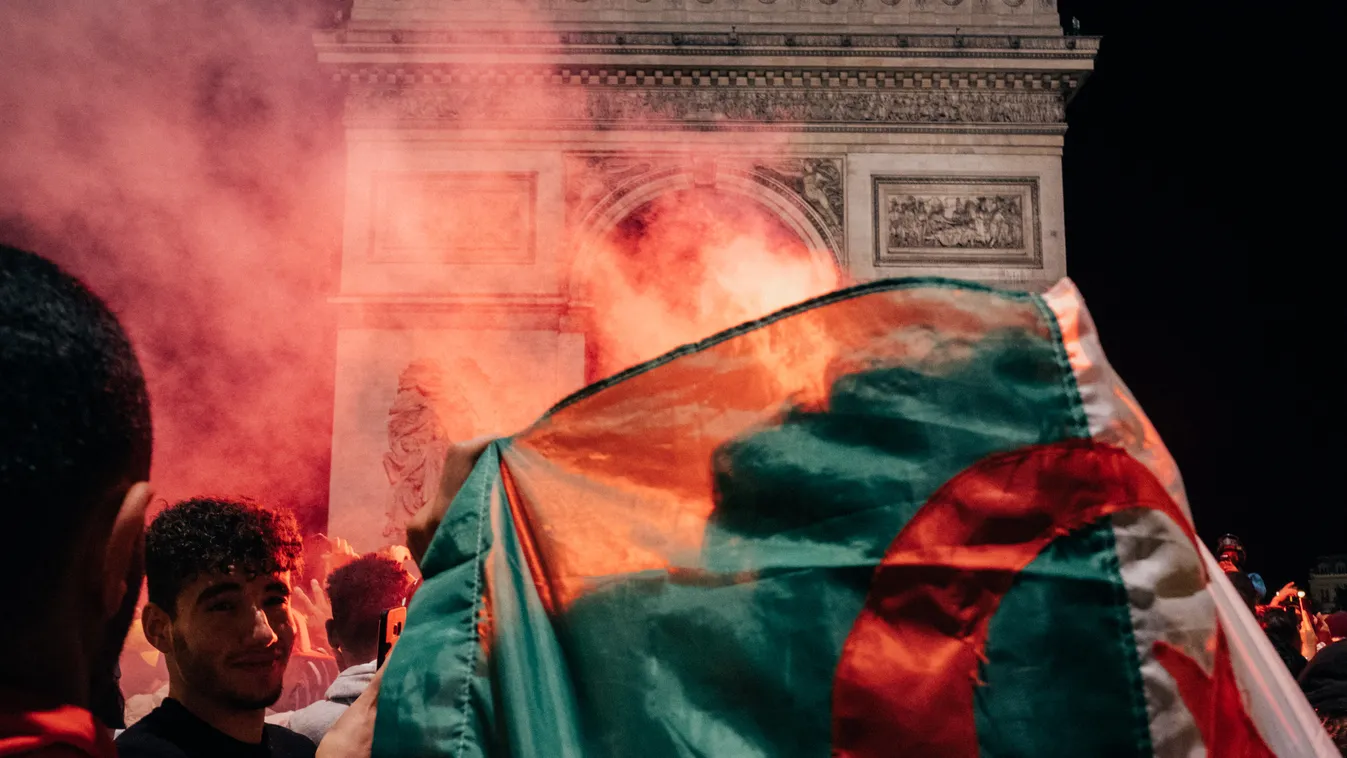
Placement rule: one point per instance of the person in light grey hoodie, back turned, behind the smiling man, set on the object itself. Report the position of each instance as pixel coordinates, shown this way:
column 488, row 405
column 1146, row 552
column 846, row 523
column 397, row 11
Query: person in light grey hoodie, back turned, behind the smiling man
column 359, row 593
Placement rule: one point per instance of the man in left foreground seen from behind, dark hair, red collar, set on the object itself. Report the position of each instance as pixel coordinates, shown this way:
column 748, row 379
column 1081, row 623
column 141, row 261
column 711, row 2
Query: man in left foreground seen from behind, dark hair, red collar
column 75, row 462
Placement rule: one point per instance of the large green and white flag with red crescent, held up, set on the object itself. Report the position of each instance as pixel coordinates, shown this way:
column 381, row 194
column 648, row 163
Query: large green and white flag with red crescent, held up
column 915, row 518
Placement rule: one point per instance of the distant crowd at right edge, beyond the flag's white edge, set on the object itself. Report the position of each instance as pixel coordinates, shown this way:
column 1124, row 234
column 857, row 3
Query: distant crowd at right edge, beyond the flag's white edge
column 1314, row 646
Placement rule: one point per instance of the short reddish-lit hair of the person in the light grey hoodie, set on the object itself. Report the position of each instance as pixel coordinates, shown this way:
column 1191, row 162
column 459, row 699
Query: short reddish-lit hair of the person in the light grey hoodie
column 360, row 593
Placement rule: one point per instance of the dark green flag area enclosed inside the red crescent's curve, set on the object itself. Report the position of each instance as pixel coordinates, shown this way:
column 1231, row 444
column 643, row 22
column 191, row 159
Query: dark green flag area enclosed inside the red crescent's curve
column 1062, row 675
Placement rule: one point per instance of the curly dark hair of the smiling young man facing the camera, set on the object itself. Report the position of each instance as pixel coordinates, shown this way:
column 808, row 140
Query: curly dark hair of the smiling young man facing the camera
column 204, row 535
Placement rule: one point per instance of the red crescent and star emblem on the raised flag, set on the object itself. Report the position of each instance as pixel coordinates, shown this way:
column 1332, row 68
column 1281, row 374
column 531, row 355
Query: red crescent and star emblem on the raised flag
column 909, row 671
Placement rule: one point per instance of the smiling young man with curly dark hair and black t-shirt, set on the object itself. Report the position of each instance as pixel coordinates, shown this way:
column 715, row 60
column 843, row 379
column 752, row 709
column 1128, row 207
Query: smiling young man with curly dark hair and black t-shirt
column 219, row 576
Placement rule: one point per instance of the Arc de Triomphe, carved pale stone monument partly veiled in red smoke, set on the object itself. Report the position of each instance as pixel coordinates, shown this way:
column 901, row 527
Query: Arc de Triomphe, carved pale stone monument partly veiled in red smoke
column 491, row 142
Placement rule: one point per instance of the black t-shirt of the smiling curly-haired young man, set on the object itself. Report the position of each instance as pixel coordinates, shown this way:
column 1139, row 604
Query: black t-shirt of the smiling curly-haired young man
column 172, row 732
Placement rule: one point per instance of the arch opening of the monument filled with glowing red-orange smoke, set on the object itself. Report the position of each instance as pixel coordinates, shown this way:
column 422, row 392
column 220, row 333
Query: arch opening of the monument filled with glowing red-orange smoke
column 682, row 261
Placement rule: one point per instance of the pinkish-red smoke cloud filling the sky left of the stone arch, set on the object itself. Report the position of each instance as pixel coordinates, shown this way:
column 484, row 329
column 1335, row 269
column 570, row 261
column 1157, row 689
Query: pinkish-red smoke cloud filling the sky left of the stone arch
column 184, row 160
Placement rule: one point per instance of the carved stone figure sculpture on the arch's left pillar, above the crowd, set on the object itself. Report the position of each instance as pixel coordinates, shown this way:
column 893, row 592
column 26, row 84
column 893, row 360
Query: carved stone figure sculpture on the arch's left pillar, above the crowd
column 430, row 413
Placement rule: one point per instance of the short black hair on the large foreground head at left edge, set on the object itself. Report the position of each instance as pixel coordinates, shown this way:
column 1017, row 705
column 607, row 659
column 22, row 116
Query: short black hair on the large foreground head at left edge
column 75, row 415
